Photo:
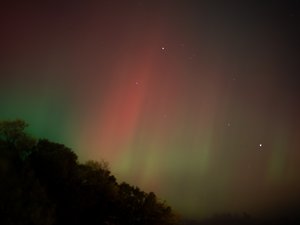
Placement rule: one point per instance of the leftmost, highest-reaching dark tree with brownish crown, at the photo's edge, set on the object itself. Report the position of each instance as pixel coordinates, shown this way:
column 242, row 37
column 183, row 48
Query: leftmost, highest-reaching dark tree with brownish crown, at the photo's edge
column 23, row 200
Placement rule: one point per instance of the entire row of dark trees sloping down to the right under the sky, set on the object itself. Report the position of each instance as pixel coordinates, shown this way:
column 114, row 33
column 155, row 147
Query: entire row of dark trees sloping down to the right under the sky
column 42, row 182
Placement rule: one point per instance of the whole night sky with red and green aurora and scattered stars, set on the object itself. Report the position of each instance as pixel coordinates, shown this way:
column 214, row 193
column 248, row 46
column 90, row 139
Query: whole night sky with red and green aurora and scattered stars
column 198, row 101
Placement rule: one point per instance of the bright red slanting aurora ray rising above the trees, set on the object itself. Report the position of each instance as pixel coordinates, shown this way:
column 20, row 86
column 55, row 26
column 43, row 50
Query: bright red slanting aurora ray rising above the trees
column 118, row 115
